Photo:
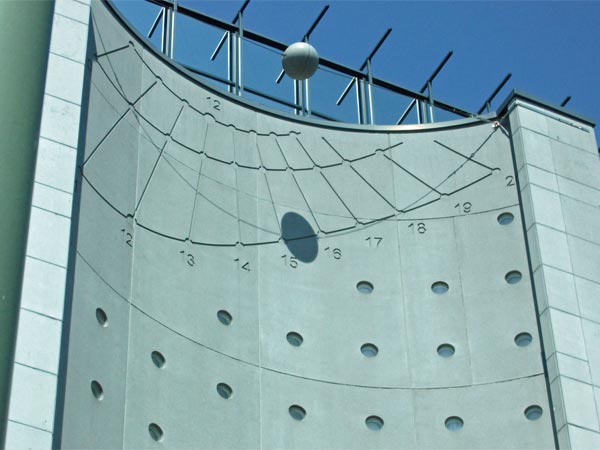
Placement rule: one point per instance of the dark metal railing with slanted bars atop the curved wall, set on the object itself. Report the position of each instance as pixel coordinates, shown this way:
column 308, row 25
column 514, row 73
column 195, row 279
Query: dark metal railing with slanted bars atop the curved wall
column 362, row 80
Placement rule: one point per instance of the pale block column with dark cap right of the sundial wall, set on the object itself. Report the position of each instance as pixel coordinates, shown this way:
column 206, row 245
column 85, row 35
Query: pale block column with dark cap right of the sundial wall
column 559, row 174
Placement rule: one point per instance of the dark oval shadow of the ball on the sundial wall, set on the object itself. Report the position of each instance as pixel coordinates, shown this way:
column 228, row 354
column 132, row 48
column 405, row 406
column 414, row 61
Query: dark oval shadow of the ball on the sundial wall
column 299, row 237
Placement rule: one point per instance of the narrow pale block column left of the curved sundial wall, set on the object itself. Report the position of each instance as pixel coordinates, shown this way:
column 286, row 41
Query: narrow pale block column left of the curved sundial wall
column 34, row 381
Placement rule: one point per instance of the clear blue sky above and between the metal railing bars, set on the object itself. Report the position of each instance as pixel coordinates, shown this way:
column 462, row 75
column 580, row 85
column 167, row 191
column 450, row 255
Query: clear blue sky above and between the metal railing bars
column 551, row 48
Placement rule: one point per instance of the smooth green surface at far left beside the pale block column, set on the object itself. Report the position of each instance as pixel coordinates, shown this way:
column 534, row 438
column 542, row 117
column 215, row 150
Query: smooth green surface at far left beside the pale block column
column 24, row 43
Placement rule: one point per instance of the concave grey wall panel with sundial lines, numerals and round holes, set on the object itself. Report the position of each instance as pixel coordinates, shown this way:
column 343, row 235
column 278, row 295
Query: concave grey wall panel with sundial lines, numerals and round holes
column 196, row 210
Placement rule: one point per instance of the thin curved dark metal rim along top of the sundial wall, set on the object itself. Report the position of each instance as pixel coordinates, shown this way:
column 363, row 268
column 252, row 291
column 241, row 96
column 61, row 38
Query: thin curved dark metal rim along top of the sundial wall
column 246, row 103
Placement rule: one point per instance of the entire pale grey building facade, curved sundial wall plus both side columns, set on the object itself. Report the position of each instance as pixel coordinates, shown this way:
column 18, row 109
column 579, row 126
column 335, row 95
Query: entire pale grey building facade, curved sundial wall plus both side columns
column 230, row 270
